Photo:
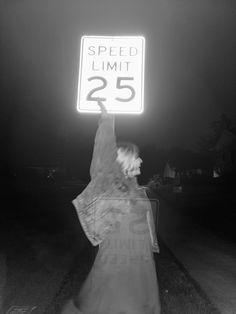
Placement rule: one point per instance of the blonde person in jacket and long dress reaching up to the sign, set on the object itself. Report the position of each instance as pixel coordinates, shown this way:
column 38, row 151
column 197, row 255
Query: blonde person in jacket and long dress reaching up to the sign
column 116, row 215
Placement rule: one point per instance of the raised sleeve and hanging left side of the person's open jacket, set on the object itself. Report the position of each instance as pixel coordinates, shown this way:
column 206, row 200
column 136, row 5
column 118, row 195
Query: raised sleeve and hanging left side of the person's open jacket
column 94, row 211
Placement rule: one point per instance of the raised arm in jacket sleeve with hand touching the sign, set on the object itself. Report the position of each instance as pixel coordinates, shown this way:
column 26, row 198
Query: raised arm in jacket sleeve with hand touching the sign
column 104, row 152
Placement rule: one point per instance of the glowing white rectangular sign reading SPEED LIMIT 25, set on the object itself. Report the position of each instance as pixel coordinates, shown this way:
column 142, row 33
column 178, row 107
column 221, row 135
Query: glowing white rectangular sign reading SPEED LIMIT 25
column 112, row 71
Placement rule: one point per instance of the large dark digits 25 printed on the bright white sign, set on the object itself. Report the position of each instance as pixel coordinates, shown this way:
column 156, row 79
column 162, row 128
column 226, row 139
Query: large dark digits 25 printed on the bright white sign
column 118, row 86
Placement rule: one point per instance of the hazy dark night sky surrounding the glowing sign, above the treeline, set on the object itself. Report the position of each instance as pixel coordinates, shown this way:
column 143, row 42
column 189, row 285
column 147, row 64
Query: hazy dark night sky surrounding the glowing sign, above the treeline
column 190, row 70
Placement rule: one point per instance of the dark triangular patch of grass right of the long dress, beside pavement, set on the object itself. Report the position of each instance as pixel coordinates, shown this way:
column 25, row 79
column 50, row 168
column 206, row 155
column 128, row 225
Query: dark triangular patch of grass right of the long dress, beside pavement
column 179, row 293
